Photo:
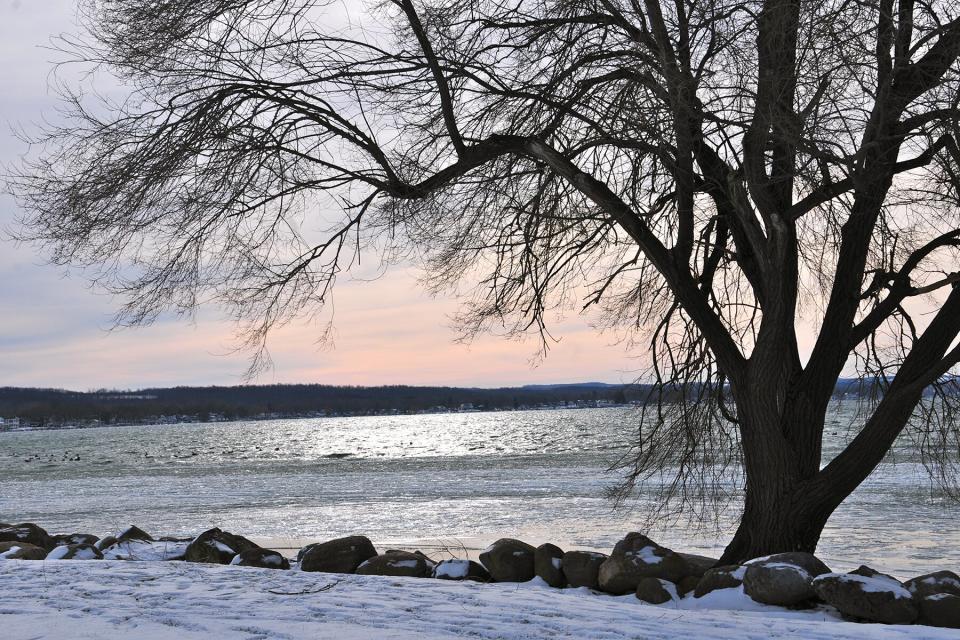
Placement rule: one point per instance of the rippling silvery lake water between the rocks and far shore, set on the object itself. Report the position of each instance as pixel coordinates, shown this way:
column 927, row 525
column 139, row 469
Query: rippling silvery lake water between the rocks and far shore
column 450, row 480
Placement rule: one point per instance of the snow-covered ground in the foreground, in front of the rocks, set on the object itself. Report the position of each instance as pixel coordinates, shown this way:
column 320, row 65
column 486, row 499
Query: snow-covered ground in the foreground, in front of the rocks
column 105, row 599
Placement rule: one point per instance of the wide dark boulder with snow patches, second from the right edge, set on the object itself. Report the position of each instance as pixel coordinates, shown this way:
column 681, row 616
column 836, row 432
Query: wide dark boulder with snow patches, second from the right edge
column 876, row 599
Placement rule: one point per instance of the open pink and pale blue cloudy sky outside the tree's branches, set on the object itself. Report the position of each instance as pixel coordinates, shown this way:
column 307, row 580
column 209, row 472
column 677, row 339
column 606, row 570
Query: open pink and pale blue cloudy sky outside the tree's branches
column 56, row 332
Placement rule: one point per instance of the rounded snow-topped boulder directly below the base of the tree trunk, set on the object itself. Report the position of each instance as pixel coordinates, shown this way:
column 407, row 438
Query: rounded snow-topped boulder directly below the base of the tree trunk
column 783, row 579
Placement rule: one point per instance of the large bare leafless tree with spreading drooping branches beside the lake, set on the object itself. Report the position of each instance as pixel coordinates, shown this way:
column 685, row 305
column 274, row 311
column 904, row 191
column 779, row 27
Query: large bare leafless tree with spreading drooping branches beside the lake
column 715, row 173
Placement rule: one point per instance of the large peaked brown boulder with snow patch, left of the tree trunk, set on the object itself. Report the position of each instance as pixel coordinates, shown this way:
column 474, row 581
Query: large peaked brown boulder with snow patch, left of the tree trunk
column 636, row 557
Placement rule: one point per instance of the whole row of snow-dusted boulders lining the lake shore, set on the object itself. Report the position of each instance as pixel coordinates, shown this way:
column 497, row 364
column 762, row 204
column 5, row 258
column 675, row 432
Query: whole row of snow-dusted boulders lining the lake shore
column 638, row 565
